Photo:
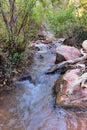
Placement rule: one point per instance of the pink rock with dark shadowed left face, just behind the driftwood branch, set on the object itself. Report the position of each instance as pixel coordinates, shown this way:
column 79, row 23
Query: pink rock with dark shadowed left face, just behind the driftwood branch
column 64, row 52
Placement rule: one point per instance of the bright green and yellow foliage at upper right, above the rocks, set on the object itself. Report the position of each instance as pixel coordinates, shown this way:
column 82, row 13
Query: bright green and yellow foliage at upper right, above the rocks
column 66, row 18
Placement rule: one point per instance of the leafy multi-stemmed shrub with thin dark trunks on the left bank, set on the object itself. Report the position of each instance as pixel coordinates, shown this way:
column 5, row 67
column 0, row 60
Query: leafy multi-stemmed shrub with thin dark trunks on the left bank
column 18, row 26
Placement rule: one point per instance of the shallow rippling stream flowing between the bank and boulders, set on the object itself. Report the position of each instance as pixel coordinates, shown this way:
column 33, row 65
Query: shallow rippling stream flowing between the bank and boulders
column 30, row 106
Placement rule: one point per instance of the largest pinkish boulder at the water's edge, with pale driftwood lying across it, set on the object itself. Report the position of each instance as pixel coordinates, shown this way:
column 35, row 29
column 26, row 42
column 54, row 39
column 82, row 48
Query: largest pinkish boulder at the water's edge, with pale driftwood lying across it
column 79, row 97
